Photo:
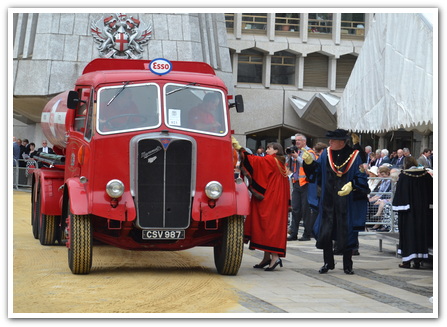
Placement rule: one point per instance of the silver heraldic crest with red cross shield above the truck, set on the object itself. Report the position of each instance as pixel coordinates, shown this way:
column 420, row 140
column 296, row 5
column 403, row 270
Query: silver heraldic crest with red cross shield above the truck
column 120, row 36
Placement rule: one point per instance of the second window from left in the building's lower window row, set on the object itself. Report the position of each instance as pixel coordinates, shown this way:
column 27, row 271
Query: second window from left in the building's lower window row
column 283, row 68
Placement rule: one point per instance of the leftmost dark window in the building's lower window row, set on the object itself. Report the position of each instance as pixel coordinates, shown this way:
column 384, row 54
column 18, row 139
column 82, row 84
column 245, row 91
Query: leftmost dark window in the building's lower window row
column 249, row 69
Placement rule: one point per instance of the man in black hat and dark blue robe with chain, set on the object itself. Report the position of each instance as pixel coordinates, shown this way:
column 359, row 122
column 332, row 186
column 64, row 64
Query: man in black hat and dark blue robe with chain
column 343, row 202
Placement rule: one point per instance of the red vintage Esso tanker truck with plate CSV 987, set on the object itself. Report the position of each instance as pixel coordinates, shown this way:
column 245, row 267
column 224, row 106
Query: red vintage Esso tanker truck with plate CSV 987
column 144, row 161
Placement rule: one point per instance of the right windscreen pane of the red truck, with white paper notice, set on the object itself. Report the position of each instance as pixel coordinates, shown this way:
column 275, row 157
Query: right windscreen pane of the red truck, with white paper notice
column 196, row 108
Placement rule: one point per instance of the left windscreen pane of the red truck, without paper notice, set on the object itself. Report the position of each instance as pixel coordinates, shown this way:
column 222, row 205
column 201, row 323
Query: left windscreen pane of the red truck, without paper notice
column 127, row 108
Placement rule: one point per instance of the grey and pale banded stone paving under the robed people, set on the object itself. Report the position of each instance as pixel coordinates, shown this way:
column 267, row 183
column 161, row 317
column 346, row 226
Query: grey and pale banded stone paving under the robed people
column 378, row 289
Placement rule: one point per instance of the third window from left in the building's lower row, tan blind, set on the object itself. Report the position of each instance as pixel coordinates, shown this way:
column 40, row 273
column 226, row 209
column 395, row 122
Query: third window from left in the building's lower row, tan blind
column 316, row 70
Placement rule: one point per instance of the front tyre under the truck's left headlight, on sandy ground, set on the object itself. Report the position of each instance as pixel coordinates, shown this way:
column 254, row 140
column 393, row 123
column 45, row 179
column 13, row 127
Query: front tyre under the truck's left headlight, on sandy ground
column 80, row 244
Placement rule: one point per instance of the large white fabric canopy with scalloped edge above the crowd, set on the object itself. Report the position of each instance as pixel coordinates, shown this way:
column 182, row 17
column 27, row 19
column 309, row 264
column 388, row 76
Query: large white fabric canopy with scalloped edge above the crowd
column 391, row 85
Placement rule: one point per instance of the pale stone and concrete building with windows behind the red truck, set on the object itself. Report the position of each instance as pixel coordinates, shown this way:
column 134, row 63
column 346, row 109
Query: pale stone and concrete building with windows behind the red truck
column 291, row 68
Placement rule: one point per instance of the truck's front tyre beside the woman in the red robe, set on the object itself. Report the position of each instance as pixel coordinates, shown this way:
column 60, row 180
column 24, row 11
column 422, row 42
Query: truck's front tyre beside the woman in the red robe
column 228, row 252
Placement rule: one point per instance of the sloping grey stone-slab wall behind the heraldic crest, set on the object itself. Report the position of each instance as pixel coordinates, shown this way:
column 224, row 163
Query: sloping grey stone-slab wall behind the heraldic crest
column 62, row 45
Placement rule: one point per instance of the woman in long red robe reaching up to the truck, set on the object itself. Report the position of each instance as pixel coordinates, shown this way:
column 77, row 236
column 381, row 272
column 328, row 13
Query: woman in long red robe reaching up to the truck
column 266, row 225
